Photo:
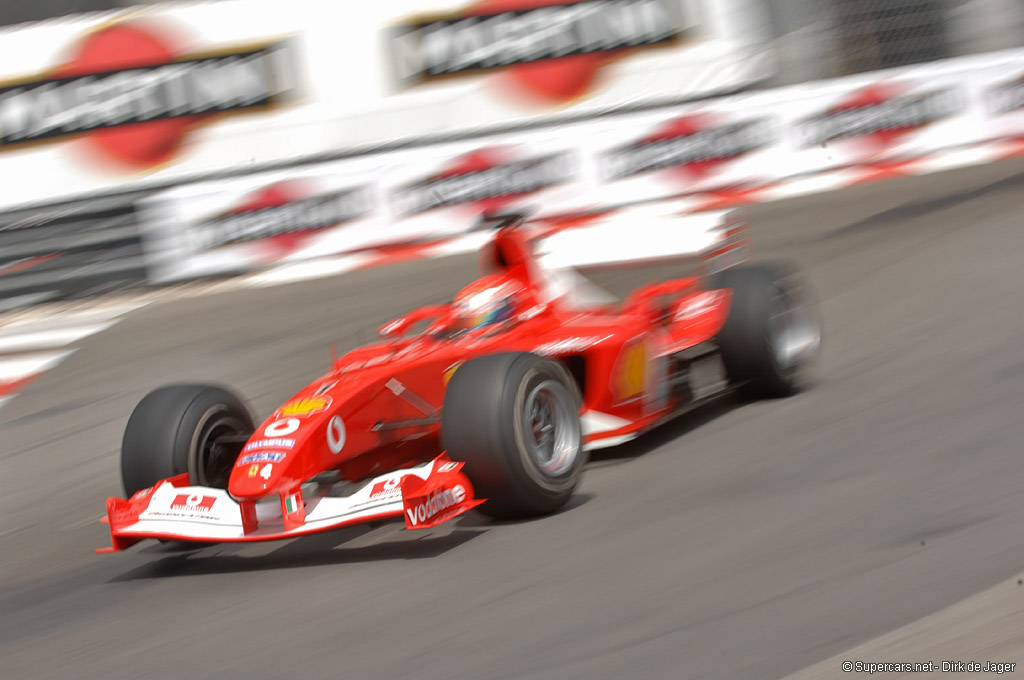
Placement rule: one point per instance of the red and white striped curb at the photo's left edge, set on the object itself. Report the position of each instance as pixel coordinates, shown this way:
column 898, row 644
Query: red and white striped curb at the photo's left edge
column 34, row 344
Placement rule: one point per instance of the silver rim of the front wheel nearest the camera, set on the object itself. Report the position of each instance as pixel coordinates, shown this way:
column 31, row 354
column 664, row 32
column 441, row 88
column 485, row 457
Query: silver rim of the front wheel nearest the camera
column 552, row 432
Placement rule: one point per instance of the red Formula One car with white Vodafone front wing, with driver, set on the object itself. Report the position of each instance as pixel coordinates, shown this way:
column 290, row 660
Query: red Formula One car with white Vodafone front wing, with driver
column 499, row 397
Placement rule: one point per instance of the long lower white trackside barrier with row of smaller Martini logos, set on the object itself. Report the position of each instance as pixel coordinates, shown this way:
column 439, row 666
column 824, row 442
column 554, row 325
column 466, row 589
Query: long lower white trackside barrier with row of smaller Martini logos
column 750, row 141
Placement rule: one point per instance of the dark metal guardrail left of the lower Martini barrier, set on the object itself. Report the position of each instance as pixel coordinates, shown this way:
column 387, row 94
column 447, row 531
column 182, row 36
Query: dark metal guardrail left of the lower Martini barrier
column 70, row 251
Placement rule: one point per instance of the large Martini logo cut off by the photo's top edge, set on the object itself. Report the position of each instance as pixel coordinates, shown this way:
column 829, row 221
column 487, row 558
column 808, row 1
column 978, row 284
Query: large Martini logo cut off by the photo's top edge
column 549, row 52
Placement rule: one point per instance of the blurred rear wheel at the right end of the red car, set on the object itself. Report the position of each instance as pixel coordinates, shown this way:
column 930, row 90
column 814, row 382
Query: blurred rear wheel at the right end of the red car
column 773, row 333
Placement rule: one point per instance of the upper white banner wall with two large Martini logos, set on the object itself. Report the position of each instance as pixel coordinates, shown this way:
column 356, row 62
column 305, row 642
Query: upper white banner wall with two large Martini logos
column 147, row 98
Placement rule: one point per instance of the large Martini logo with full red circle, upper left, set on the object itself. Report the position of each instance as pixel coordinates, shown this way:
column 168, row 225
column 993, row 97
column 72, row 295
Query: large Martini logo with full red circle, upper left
column 136, row 92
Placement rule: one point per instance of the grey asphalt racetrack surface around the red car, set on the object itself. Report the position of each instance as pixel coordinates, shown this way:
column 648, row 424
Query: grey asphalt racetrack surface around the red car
column 743, row 541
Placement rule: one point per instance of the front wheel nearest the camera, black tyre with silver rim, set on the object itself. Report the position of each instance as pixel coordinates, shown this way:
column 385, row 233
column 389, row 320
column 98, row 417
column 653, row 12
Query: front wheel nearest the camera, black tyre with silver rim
column 515, row 420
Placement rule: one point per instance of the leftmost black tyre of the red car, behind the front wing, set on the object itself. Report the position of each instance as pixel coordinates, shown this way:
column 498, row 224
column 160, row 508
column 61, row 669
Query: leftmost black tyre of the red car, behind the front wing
column 175, row 430
